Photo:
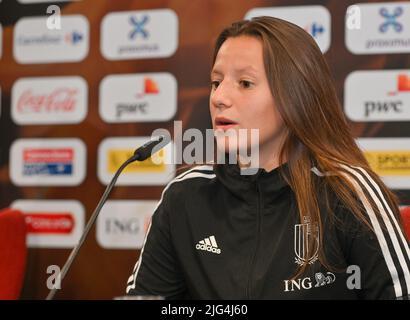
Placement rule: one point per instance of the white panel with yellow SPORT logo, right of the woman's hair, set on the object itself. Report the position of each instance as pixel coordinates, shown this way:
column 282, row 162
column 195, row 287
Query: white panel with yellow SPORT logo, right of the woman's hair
column 389, row 158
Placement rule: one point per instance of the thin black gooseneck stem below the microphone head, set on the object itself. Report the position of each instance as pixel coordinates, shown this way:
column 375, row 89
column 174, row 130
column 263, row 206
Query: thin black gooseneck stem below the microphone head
column 90, row 223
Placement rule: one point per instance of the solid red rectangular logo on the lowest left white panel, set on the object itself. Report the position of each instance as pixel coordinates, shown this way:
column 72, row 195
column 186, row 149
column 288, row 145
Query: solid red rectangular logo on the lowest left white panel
column 49, row 223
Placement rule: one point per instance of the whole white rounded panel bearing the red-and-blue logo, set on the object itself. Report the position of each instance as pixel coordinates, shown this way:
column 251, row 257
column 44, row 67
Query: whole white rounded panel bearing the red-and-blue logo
column 43, row 162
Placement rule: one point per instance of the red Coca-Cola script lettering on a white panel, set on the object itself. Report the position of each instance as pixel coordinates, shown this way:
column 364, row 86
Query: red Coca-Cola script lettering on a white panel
column 59, row 100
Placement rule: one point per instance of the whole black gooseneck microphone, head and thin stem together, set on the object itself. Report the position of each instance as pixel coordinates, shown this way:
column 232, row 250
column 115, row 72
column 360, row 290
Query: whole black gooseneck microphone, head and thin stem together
column 140, row 154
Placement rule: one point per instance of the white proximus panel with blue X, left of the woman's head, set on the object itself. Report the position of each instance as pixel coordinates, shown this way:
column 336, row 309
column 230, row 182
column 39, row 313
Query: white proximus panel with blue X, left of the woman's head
column 139, row 34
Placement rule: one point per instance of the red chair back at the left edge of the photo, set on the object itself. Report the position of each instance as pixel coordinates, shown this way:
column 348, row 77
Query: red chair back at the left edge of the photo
column 13, row 253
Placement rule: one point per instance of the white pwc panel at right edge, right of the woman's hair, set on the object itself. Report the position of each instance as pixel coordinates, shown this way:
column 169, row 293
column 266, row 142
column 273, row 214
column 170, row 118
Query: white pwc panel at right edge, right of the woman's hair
column 378, row 95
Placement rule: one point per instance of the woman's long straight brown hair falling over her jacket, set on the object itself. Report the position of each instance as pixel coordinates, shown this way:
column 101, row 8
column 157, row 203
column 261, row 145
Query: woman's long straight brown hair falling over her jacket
column 317, row 134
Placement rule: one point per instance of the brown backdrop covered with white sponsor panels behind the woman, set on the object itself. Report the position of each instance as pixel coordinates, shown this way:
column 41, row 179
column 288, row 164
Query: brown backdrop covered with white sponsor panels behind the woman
column 76, row 100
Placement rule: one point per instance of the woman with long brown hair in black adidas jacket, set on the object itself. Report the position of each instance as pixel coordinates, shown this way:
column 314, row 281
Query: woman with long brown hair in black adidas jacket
column 314, row 222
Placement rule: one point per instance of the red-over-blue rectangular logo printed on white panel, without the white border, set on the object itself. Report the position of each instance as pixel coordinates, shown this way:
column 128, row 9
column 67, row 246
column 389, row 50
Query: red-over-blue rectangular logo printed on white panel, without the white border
column 46, row 162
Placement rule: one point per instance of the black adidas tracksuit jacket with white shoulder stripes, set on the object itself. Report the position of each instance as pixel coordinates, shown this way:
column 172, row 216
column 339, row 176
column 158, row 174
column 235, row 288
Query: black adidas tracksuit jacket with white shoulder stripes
column 217, row 234
